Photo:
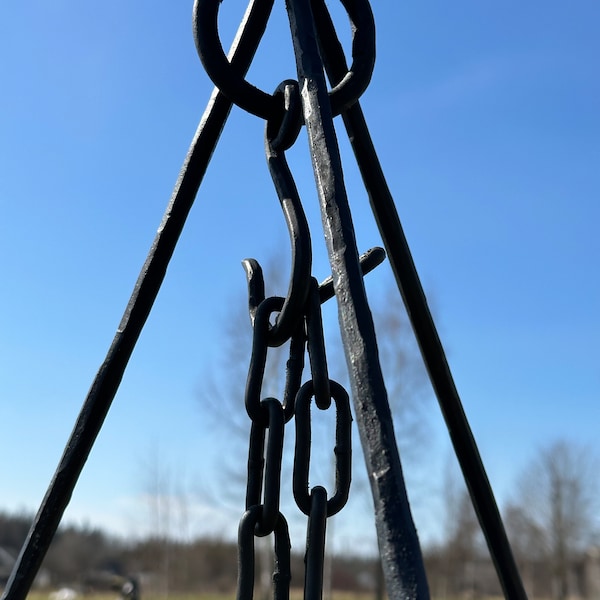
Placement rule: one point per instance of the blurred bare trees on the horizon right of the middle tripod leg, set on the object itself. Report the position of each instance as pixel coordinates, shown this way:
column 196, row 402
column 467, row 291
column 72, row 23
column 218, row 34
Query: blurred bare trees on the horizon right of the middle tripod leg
column 552, row 524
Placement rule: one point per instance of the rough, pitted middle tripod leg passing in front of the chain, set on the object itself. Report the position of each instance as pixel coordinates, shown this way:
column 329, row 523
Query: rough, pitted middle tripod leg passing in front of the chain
column 398, row 542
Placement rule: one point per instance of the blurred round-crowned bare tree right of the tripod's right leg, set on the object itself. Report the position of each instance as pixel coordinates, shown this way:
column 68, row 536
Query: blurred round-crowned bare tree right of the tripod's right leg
column 558, row 501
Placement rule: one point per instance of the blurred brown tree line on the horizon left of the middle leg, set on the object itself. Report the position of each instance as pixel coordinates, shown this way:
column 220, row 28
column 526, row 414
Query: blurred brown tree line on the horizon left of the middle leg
column 91, row 560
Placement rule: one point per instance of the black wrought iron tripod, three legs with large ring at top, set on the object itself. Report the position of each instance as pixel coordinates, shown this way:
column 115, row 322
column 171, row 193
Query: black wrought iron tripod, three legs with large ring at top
column 307, row 103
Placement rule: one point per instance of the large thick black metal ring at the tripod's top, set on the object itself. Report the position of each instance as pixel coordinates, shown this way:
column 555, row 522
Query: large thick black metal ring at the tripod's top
column 254, row 100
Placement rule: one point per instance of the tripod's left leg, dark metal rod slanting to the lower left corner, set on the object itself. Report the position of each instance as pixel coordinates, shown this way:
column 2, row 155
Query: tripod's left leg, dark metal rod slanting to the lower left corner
column 106, row 382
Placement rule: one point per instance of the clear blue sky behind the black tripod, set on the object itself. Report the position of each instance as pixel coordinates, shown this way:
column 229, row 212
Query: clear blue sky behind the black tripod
column 485, row 117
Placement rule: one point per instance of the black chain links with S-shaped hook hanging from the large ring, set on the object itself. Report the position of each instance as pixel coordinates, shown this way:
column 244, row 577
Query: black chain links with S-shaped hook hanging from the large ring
column 299, row 322
